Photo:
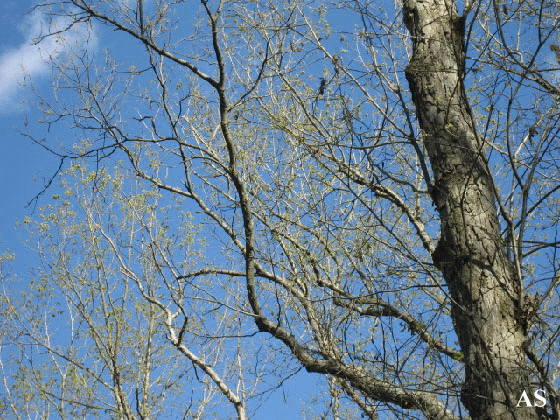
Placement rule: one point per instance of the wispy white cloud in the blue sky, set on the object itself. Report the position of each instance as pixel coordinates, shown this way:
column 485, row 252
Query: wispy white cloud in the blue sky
column 32, row 61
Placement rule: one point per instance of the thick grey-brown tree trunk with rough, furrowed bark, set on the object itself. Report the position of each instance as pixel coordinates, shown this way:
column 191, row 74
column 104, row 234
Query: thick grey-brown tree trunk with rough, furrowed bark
column 485, row 291
